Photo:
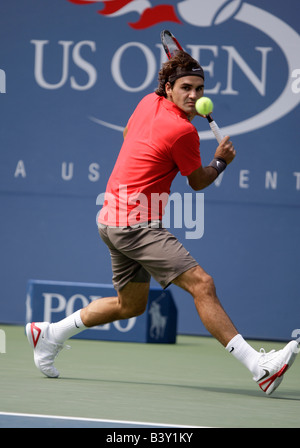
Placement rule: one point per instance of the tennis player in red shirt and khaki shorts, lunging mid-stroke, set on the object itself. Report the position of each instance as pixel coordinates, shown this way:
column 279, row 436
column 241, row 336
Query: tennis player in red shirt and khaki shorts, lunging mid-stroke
column 159, row 142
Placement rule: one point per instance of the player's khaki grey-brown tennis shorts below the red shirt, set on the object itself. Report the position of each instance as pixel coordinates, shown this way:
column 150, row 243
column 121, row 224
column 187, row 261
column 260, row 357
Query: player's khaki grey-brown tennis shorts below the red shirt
column 137, row 253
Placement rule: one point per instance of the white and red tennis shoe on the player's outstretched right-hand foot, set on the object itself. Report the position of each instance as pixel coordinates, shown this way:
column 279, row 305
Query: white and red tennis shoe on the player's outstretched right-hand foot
column 274, row 365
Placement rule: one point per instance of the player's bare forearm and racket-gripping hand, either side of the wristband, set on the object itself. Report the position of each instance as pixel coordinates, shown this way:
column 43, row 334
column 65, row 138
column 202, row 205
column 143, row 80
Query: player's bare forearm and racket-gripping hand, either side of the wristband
column 202, row 177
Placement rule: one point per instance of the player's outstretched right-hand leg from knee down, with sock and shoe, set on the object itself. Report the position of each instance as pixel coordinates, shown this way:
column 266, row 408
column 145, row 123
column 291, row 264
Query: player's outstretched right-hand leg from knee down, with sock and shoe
column 267, row 368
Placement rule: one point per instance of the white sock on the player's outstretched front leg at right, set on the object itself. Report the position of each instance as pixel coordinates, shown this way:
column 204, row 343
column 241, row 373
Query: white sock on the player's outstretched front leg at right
column 242, row 351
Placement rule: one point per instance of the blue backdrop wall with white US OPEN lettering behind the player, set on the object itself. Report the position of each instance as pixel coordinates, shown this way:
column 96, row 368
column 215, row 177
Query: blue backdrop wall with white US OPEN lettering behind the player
column 71, row 74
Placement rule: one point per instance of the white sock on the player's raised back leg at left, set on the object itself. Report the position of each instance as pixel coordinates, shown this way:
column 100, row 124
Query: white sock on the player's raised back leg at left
column 66, row 328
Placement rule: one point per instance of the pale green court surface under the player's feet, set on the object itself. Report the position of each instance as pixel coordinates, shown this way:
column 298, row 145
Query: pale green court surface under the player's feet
column 194, row 382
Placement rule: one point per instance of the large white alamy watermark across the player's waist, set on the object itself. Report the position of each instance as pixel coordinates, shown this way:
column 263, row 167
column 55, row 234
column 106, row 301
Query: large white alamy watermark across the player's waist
column 180, row 211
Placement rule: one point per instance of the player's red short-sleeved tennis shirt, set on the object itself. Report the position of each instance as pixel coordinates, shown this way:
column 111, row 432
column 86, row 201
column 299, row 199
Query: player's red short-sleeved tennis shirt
column 160, row 142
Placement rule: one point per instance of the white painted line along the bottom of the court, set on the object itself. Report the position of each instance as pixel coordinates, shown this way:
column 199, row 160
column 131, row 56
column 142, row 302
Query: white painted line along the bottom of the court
column 99, row 420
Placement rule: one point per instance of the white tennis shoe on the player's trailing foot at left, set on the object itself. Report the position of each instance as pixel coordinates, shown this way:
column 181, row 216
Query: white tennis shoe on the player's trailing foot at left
column 44, row 350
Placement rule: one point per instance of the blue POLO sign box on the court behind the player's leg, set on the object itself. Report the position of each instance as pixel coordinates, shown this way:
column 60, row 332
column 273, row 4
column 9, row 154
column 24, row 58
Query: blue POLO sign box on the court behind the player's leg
column 53, row 301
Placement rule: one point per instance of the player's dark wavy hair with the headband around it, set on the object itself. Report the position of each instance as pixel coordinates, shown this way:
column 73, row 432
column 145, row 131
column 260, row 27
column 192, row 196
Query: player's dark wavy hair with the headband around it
column 182, row 64
